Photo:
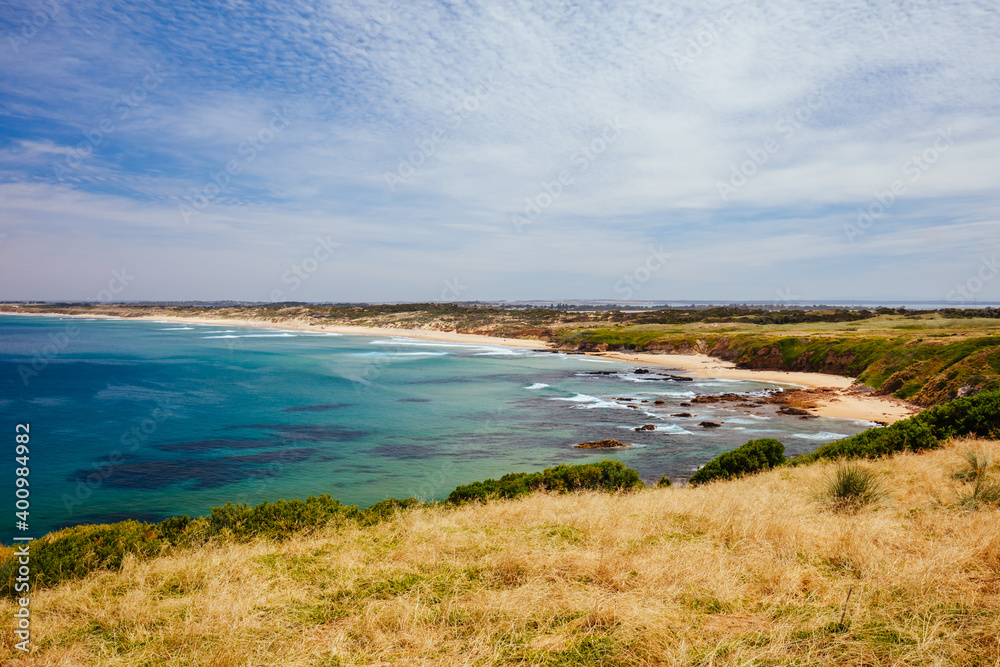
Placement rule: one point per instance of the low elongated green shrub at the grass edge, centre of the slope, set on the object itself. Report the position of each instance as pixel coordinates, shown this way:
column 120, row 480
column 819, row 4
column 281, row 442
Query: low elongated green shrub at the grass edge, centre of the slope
column 603, row 476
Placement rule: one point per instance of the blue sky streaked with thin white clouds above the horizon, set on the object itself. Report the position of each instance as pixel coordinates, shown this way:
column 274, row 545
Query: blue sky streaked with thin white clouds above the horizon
column 752, row 150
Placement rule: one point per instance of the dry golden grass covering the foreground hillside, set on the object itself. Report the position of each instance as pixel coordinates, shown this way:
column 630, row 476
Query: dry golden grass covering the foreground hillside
column 754, row 571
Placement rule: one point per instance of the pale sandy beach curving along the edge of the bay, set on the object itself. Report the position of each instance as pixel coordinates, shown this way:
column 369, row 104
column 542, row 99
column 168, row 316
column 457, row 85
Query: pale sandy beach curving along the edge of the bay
column 831, row 393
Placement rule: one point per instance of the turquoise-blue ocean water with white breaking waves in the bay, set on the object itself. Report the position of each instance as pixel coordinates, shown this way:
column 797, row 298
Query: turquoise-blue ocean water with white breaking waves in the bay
column 142, row 419
